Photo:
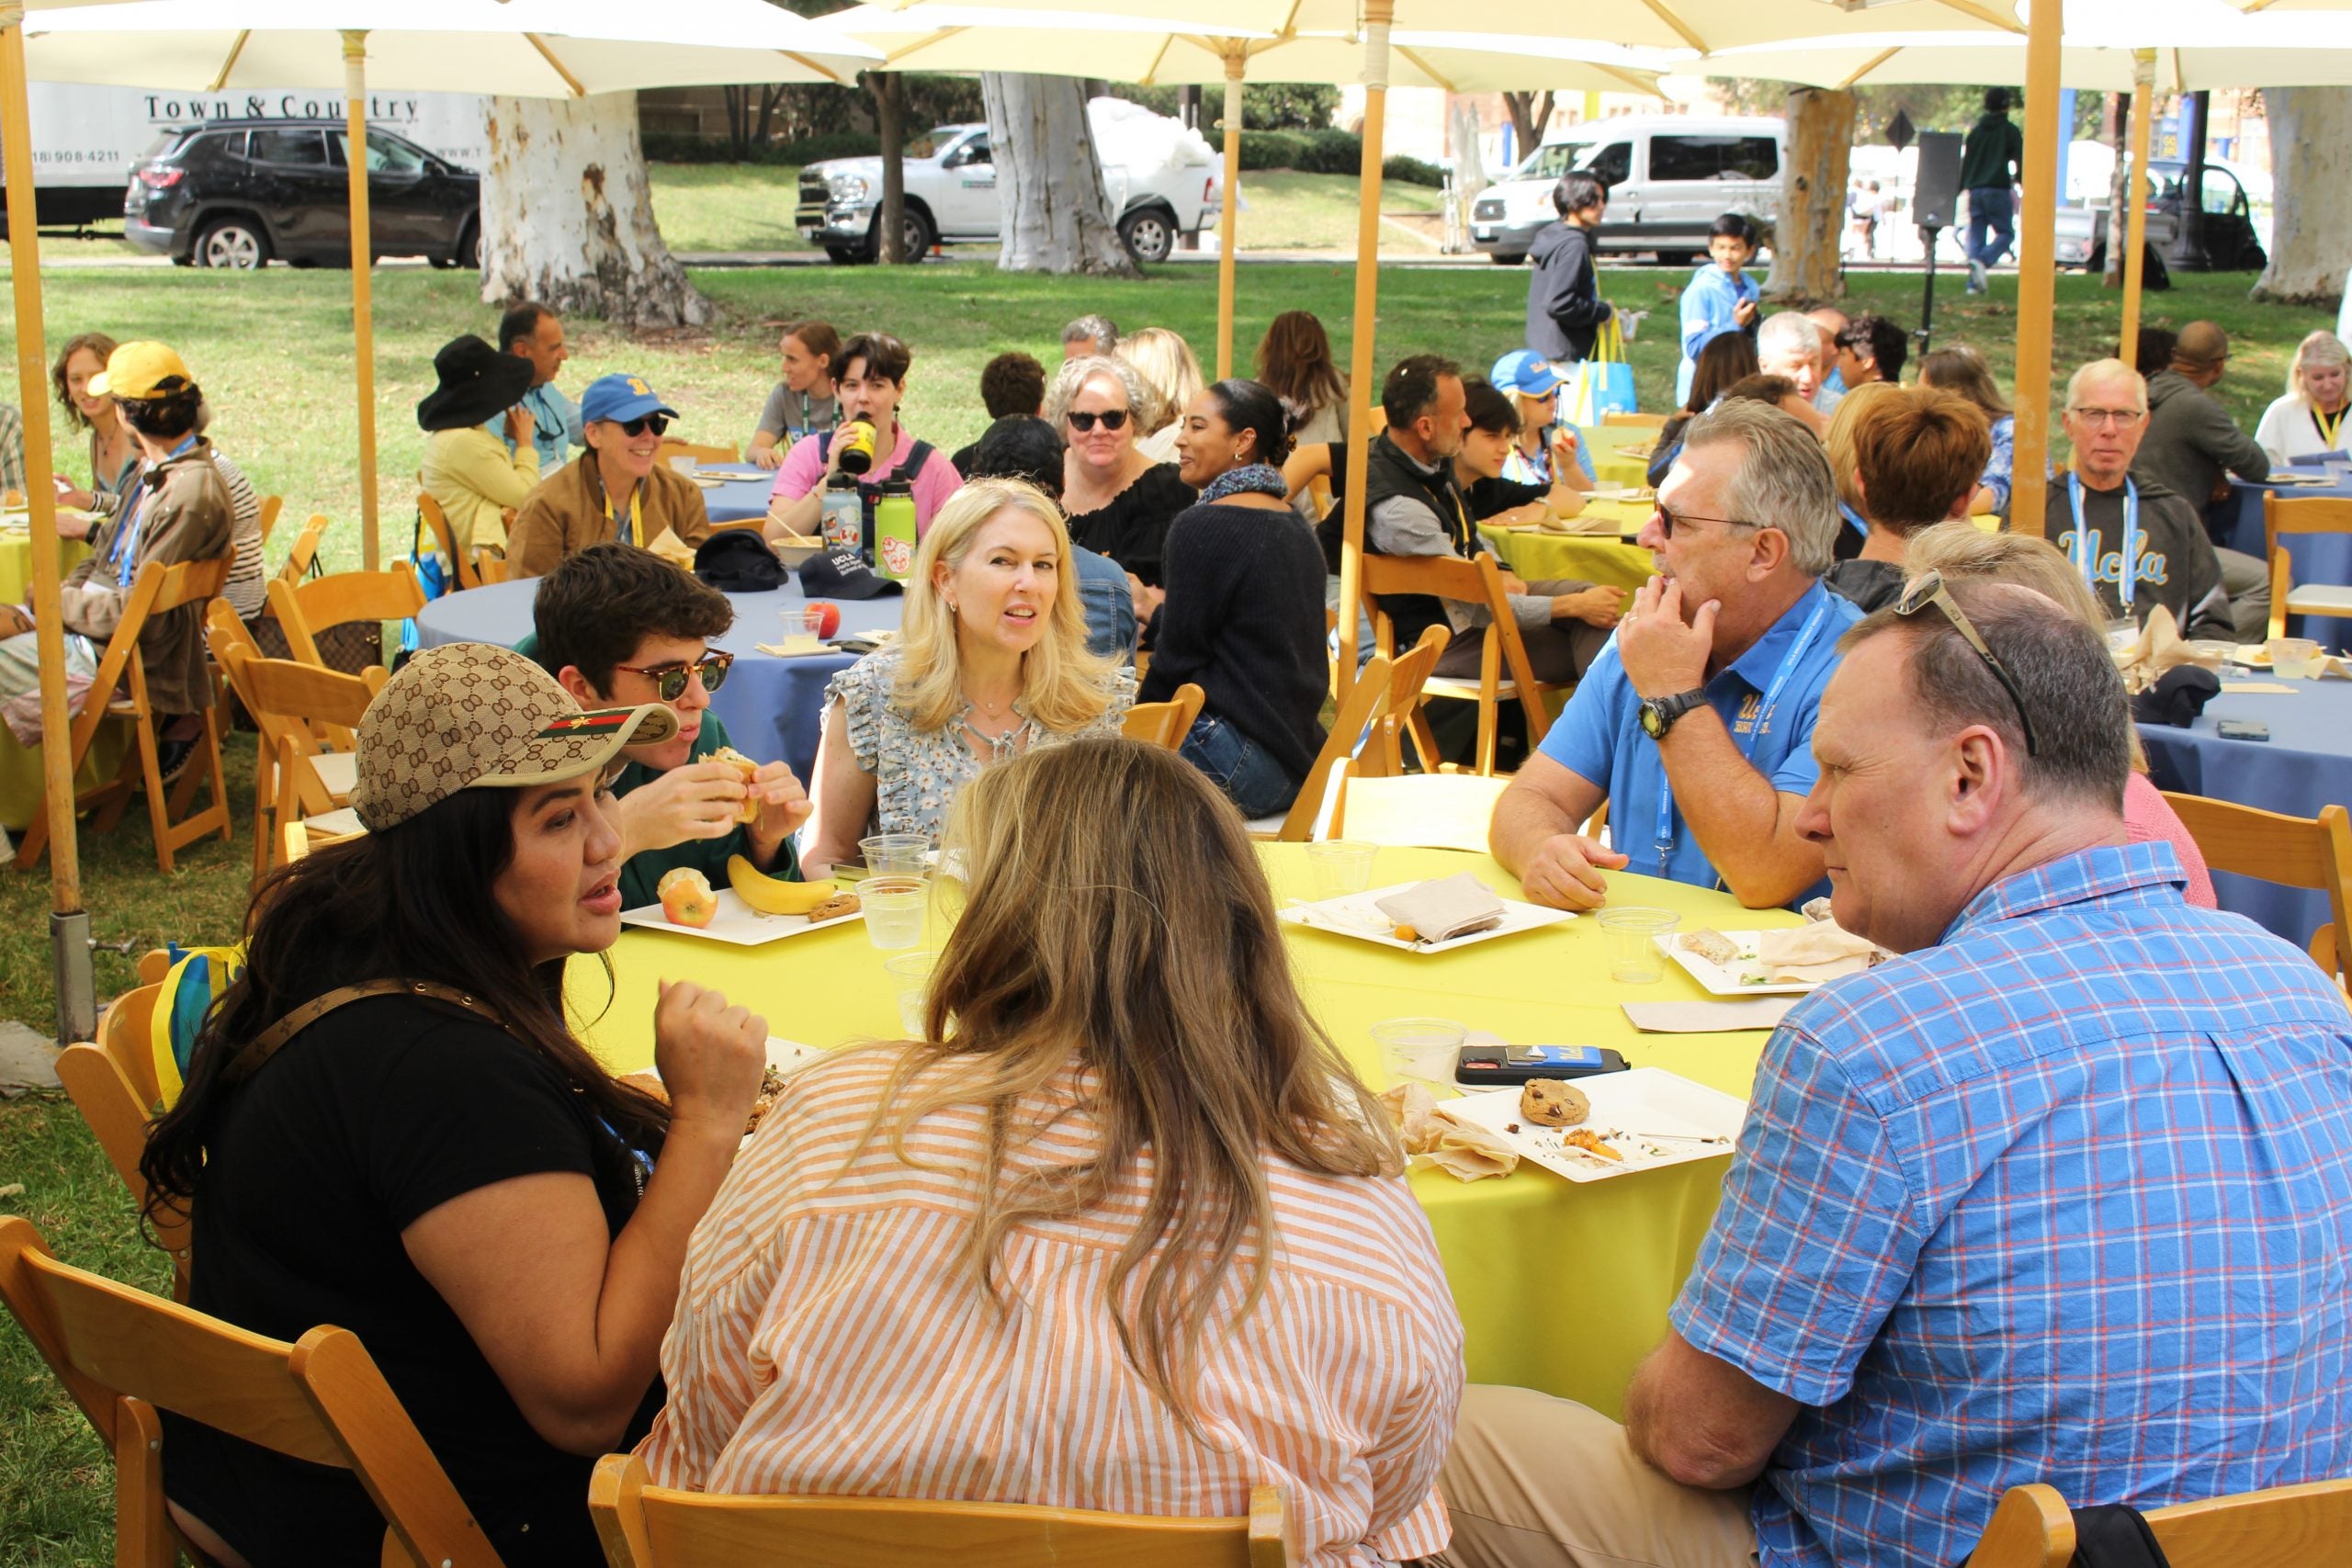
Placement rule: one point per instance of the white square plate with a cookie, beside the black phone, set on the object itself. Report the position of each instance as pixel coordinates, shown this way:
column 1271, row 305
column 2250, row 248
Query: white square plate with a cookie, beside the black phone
column 1650, row 1115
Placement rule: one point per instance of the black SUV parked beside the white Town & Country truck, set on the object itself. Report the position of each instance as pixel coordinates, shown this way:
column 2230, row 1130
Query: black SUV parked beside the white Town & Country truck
column 241, row 192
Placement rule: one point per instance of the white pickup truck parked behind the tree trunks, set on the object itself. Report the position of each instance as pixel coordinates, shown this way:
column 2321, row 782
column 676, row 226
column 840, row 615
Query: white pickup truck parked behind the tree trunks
column 1163, row 180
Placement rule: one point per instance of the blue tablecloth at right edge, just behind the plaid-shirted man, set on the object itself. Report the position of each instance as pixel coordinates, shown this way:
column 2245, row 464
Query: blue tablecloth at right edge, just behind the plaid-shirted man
column 2306, row 765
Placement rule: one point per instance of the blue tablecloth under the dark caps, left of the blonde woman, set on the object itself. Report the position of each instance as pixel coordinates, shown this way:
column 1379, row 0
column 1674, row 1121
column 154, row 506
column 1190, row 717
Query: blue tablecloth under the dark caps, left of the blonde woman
column 773, row 706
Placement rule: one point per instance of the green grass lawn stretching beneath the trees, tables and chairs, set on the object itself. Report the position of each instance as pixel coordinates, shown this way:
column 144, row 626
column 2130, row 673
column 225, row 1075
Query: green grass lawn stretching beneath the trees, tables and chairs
column 274, row 351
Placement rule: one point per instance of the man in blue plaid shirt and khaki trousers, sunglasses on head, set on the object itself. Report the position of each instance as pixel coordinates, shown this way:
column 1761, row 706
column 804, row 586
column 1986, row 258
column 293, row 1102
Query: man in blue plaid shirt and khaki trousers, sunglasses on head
column 2062, row 1195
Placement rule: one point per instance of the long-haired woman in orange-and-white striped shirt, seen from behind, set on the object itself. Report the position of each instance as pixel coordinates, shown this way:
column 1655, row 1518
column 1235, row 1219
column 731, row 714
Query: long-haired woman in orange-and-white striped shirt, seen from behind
column 1132, row 1238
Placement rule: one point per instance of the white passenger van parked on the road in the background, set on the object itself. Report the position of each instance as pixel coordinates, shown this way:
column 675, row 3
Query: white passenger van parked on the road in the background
column 1669, row 177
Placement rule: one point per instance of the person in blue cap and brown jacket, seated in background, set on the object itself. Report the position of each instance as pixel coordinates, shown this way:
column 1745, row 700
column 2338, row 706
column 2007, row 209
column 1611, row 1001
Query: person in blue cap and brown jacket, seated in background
column 613, row 492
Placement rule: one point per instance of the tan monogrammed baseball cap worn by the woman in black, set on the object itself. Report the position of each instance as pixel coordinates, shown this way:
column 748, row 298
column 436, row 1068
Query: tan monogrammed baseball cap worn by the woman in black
column 472, row 716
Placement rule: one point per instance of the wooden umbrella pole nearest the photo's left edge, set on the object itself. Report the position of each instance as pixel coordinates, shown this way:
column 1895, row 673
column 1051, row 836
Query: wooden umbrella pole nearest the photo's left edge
column 69, row 925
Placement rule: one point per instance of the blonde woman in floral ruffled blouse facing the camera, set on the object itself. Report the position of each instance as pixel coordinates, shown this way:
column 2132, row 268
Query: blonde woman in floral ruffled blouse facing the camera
column 991, row 662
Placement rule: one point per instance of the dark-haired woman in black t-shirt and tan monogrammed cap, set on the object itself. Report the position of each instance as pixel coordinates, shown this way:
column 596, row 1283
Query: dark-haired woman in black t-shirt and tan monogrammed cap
column 439, row 1165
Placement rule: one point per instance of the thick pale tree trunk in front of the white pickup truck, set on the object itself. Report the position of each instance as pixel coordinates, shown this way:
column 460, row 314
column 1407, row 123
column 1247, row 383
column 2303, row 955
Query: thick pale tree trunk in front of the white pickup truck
column 1057, row 215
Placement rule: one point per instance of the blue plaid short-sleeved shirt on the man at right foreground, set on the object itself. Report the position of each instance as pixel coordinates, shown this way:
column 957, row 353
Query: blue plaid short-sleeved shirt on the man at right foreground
column 2066, row 1200
